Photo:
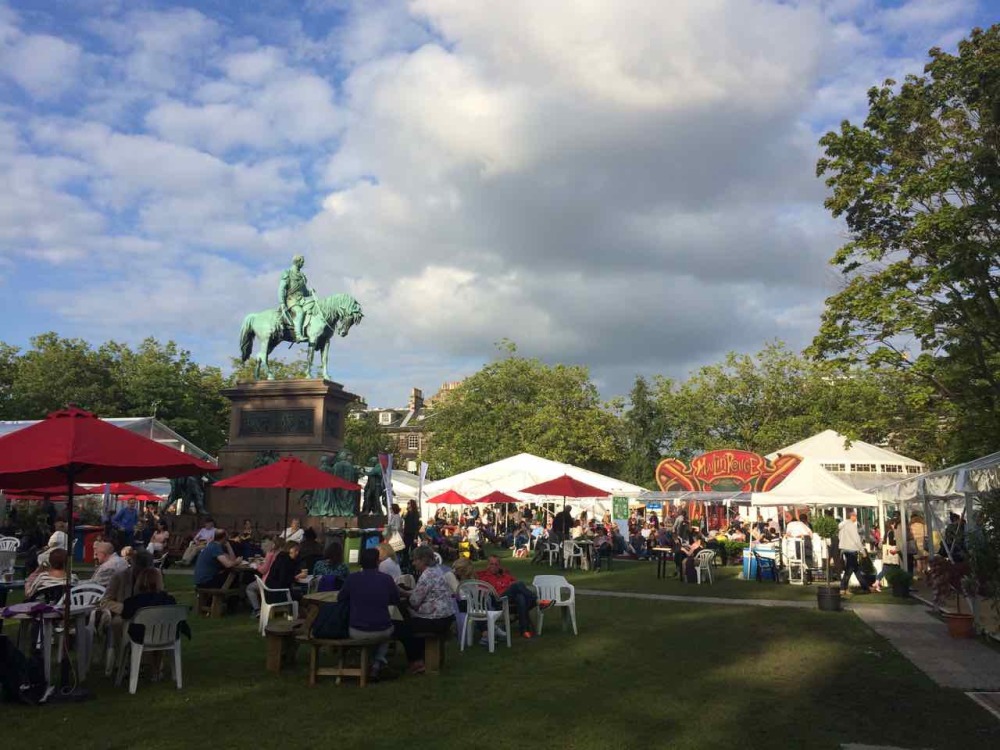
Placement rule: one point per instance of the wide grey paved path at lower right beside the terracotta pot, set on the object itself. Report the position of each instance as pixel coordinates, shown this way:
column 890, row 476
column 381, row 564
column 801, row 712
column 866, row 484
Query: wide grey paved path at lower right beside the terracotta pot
column 962, row 663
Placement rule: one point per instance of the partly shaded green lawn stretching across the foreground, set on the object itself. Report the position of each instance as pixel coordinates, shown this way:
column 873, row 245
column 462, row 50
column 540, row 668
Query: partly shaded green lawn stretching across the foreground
column 641, row 673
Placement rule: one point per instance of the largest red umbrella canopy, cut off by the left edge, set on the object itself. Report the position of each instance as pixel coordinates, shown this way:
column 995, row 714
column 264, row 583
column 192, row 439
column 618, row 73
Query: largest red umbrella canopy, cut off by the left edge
column 76, row 440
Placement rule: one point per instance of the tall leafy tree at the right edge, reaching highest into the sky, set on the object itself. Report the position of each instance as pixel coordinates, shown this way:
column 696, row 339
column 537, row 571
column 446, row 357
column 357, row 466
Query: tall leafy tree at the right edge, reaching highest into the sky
column 918, row 184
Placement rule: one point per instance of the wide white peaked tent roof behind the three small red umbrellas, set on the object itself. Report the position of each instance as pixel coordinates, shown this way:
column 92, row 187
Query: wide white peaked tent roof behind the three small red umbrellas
column 511, row 475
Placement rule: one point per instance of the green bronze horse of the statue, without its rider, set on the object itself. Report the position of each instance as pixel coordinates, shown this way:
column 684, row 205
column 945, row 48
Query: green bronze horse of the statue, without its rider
column 334, row 314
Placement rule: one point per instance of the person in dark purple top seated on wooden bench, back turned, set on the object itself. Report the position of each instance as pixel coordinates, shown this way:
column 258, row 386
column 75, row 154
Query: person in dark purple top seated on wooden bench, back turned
column 369, row 595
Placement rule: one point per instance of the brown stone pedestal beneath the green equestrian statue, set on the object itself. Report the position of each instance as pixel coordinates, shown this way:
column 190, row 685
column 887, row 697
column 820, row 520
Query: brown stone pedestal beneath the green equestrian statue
column 301, row 418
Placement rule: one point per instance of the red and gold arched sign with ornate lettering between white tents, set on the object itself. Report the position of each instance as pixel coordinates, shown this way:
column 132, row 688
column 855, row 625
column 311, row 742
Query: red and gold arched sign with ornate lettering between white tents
column 725, row 470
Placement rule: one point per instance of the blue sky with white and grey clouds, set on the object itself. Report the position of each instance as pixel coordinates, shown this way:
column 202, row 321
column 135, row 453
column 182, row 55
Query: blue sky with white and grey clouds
column 624, row 184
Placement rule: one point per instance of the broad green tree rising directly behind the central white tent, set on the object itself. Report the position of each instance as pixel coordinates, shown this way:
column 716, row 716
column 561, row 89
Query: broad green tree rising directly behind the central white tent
column 519, row 405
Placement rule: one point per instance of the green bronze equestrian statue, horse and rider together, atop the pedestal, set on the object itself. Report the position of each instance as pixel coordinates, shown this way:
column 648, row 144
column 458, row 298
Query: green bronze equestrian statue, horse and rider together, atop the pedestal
column 302, row 317
